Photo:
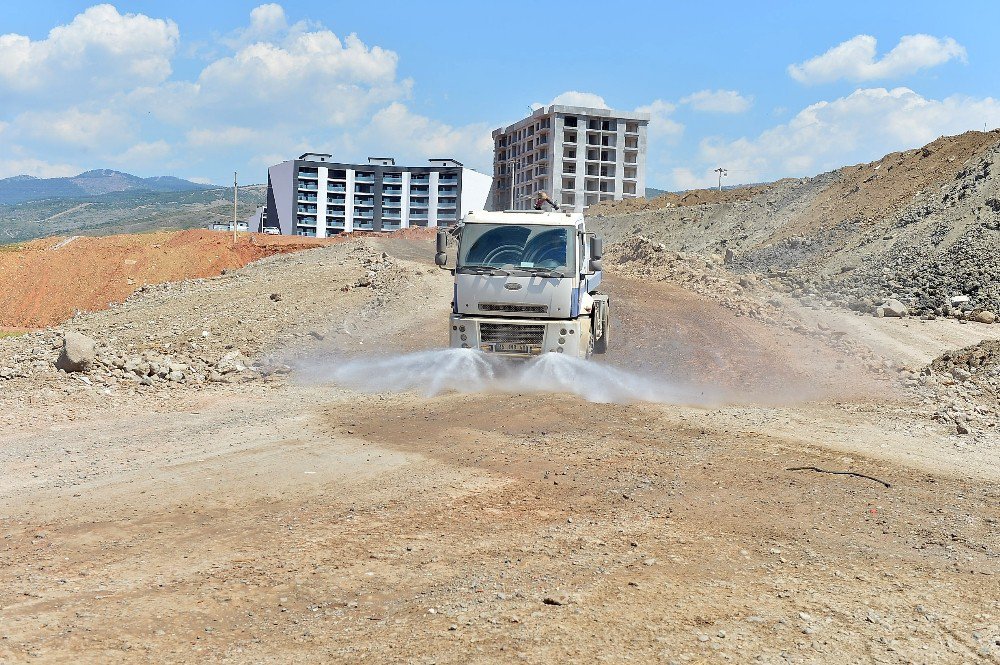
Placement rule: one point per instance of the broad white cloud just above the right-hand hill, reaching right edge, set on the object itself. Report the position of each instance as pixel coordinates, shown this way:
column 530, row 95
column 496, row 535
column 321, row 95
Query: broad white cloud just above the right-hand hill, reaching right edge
column 862, row 126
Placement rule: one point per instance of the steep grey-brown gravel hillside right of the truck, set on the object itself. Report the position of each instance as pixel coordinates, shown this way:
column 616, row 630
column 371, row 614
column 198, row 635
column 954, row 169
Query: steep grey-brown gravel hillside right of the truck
column 920, row 226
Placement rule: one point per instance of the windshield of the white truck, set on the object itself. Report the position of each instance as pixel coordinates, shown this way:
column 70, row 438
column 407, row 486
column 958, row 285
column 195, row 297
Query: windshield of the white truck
column 514, row 247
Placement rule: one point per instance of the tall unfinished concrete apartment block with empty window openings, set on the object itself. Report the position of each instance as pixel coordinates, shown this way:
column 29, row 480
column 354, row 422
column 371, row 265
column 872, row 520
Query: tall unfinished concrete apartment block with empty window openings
column 578, row 155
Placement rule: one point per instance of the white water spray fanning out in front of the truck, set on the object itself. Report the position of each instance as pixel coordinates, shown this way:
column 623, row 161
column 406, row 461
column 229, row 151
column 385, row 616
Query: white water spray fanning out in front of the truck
column 439, row 371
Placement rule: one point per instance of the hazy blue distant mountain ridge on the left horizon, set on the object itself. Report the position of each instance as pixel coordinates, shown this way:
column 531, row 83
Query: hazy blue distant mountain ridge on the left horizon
column 21, row 188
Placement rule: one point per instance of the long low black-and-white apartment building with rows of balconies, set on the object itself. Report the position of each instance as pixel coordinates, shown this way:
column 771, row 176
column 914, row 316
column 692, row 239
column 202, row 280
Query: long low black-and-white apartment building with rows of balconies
column 315, row 196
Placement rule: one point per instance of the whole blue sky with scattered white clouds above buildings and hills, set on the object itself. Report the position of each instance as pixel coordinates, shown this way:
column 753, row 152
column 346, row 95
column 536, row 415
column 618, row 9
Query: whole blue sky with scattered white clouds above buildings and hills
column 200, row 89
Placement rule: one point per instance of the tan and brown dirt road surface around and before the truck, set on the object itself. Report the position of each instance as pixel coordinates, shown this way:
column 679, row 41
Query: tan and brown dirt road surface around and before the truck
column 303, row 522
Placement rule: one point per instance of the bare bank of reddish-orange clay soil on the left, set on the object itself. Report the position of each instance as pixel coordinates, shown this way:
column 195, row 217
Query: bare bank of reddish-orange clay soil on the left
column 45, row 281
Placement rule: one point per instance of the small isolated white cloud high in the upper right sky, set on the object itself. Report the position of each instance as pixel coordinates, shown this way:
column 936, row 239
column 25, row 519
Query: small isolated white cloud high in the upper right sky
column 855, row 59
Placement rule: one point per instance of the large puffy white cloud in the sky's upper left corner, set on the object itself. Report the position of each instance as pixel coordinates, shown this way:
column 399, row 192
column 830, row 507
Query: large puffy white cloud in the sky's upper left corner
column 98, row 52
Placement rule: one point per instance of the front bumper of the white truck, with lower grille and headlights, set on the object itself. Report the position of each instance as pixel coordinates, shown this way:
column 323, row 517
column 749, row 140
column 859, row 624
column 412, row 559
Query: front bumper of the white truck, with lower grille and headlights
column 521, row 338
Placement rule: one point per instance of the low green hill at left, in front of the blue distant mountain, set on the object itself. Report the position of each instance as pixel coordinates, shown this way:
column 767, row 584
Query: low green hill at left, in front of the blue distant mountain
column 130, row 211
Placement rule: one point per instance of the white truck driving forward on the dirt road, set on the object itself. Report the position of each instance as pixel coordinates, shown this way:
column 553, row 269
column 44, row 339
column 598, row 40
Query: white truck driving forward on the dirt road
column 525, row 284
